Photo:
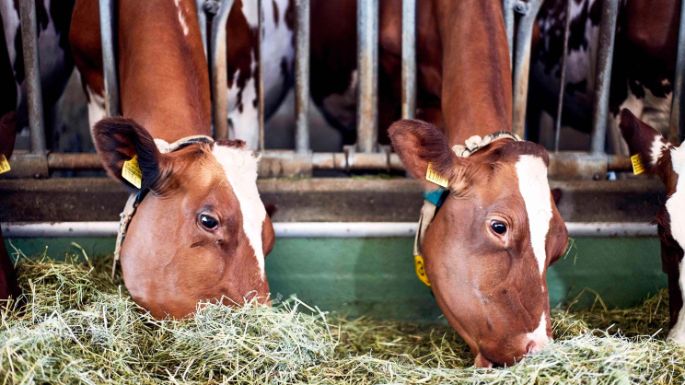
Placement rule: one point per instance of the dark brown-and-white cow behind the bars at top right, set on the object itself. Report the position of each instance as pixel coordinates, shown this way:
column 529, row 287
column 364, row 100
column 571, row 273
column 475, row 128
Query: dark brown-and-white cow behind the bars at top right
column 643, row 63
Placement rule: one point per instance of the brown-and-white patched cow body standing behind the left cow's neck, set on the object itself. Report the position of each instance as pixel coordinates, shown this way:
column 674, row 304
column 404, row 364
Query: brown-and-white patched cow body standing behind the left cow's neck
column 242, row 54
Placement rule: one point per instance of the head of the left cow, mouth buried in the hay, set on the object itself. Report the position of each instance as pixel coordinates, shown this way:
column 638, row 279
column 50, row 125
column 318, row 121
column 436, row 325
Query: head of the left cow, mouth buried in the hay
column 201, row 232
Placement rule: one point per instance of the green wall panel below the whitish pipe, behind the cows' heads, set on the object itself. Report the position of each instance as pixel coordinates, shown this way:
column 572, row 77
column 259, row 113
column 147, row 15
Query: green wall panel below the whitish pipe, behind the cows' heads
column 375, row 276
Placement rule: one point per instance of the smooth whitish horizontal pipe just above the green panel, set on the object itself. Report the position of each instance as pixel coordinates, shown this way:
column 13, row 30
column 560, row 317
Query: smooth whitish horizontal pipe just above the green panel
column 315, row 229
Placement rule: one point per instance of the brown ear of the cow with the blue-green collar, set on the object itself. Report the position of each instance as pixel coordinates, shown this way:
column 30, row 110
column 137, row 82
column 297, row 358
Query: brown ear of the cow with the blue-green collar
column 419, row 143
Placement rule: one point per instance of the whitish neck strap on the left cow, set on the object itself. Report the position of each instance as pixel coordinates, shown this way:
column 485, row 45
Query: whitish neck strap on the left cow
column 134, row 199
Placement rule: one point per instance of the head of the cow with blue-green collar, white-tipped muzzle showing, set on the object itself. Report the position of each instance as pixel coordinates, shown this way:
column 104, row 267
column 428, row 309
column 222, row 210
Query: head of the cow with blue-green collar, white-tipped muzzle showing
column 489, row 245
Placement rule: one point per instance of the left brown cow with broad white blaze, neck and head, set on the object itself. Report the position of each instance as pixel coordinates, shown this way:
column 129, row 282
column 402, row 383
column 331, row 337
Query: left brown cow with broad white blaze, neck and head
column 201, row 231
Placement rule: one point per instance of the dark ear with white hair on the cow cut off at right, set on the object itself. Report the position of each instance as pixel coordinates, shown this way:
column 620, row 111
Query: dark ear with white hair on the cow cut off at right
column 642, row 140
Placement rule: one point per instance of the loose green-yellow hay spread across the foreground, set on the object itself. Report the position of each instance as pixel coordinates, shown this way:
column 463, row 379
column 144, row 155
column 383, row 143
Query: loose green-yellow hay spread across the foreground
column 75, row 326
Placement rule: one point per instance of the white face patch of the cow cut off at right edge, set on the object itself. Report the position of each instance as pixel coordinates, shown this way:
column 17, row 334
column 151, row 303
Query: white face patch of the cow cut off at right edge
column 675, row 205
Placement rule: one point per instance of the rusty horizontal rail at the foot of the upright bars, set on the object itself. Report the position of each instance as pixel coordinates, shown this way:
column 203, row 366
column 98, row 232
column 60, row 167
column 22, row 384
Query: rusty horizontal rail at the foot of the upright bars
column 320, row 160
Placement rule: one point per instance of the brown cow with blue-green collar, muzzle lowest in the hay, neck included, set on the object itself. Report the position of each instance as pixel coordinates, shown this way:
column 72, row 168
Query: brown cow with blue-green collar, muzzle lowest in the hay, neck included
column 488, row 246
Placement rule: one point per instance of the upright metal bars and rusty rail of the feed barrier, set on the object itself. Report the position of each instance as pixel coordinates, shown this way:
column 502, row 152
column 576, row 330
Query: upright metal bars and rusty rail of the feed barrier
column 519, row 19
